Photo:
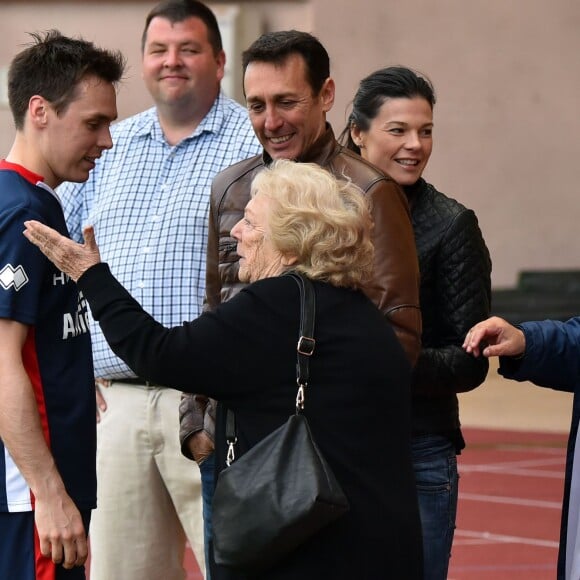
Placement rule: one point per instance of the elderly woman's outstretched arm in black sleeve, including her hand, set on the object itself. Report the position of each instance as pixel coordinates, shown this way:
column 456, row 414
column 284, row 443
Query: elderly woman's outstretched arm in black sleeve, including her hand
column 184, row 357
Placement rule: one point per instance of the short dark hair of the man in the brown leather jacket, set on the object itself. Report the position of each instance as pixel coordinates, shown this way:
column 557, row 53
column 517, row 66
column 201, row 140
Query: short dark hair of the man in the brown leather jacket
column 276, row 47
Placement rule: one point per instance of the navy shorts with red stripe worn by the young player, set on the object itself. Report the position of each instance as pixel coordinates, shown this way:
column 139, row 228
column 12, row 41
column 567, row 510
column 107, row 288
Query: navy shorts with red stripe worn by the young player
column 20, row 557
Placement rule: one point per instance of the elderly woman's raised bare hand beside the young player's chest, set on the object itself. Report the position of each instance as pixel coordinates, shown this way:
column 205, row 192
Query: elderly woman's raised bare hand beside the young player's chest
column 68, row 256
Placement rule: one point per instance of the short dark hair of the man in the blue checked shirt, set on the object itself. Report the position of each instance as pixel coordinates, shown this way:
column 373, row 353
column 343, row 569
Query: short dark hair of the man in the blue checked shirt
column 180, row 10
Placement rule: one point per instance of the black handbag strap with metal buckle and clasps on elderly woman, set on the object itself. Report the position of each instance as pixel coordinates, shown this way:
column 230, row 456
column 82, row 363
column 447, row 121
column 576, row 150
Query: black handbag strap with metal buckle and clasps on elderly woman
column 304, row 349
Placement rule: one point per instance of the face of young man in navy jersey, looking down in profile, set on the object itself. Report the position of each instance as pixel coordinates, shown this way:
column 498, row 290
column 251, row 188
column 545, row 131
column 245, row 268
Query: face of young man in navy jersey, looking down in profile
column 71, row 141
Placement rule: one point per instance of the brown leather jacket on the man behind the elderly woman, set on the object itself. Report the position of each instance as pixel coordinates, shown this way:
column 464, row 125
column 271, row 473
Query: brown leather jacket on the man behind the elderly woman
column 395, row 287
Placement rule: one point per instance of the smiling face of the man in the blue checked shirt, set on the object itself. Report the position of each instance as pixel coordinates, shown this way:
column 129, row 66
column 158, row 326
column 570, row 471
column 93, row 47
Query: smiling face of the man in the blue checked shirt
column 179, row 63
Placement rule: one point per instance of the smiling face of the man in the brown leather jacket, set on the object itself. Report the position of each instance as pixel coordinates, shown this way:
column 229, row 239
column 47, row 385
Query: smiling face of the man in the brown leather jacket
column 287, row 118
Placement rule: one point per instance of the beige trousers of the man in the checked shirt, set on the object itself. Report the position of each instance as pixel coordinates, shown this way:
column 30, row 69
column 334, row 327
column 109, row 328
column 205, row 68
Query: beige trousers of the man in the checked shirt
column 148, row 494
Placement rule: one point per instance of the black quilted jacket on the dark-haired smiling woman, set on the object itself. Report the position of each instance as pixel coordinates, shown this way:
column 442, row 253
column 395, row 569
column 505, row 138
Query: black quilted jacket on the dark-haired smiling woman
column 455, row 294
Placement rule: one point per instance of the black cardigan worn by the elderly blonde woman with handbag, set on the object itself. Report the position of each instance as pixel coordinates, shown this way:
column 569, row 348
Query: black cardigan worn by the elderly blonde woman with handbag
column 244, row 353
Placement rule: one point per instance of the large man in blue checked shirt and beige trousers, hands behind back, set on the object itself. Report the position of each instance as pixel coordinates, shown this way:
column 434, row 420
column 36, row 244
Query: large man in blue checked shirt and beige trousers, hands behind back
column 148, row 199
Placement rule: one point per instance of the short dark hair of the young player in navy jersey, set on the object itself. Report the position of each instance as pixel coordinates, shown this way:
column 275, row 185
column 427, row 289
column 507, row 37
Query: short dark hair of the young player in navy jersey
column 52, row 67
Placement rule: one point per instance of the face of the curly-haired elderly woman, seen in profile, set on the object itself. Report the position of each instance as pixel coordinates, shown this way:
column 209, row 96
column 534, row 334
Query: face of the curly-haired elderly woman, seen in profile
column 258, row 257
